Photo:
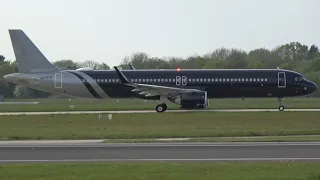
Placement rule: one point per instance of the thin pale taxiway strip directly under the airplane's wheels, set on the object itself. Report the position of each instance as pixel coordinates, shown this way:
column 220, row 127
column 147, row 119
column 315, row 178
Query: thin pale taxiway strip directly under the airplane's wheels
column 153, row 111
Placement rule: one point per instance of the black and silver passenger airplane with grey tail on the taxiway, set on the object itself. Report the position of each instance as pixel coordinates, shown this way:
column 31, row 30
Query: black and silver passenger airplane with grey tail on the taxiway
column 189, row 88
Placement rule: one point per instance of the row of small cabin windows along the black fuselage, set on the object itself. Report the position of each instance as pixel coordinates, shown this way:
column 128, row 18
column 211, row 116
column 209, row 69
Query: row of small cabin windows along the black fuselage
column 190, row 80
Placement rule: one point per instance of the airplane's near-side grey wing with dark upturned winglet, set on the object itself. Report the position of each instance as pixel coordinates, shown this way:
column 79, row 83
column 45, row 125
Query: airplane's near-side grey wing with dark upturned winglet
column 153, row 90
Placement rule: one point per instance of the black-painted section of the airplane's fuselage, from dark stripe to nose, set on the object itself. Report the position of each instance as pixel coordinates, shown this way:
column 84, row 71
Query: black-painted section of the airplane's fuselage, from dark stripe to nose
column 219, row 83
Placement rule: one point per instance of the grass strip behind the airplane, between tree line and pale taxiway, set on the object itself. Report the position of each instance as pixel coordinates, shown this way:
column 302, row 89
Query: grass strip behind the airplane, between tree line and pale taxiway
column 125, row 104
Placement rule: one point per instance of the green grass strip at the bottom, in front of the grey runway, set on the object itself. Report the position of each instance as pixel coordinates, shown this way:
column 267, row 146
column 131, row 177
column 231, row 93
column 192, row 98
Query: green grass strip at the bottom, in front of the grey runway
column 164, row 171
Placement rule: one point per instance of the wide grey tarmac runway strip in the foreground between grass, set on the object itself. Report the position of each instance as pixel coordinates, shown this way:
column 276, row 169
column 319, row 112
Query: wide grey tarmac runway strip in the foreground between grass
column 135, row 152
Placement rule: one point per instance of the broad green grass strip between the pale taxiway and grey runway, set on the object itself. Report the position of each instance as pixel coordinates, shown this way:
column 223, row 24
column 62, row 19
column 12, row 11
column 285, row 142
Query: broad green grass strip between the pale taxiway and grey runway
column 164, row 125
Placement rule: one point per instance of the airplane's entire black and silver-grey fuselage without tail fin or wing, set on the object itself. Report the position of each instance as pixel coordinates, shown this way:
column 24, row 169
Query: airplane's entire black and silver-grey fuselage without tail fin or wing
column 222, row 83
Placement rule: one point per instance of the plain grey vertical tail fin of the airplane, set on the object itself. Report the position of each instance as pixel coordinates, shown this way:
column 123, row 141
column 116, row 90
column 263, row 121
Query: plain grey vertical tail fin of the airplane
column 28, row 56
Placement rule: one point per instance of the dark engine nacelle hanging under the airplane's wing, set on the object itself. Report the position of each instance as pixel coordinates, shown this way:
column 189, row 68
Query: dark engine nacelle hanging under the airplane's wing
column 192, row 100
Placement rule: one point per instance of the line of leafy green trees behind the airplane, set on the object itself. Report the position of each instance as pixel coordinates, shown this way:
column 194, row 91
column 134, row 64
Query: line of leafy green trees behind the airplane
column 292, row 56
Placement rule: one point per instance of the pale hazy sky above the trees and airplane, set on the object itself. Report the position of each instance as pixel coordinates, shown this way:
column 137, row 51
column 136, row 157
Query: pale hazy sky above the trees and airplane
column 108, row 30
